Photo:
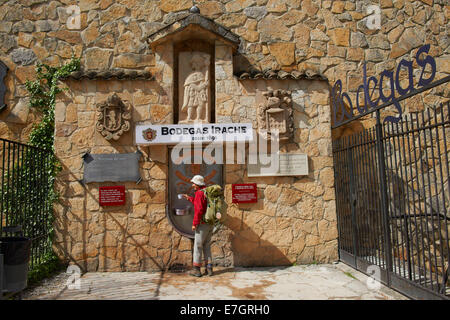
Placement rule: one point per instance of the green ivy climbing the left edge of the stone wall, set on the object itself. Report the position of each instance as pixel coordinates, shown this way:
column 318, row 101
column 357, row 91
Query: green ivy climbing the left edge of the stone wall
column 39, row 190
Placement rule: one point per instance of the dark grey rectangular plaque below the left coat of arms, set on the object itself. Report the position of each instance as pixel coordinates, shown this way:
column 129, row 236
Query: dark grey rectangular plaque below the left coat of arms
column 111, row 167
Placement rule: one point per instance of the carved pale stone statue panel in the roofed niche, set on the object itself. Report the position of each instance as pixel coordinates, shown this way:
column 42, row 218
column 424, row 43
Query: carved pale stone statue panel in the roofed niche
column 194, row 89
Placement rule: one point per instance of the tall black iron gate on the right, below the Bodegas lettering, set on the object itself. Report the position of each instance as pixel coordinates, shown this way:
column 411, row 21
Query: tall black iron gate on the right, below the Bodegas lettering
column 393, row 199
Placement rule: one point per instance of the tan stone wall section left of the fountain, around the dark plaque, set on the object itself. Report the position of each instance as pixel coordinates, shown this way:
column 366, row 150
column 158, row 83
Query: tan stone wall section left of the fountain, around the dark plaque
column 100, row 238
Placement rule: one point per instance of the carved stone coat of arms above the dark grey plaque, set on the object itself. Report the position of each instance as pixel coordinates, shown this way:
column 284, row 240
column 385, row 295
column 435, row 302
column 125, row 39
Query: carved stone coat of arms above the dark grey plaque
column 112, row 118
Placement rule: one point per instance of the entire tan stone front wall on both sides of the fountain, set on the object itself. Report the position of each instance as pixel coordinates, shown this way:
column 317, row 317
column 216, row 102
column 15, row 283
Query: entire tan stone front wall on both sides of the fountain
column 292, row 222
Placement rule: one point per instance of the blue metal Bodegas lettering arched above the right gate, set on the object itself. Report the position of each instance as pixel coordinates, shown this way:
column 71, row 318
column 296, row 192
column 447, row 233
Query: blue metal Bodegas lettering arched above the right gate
column 339, row 99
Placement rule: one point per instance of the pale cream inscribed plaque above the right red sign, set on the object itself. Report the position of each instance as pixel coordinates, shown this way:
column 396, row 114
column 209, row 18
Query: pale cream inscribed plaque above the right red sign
column 293, row 164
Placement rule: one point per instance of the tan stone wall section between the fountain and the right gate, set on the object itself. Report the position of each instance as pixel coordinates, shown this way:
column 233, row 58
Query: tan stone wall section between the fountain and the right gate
column 294, row 220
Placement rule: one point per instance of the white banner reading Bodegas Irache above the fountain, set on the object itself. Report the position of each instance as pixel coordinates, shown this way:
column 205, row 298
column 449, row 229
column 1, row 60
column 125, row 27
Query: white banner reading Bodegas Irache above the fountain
column 193, row 133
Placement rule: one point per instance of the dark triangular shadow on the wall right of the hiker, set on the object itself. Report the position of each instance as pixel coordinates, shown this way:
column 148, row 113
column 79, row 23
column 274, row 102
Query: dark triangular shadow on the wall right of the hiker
column 249, row 250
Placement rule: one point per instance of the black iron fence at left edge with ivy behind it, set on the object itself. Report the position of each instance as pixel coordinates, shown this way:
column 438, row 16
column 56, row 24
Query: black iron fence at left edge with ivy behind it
column 25, row 173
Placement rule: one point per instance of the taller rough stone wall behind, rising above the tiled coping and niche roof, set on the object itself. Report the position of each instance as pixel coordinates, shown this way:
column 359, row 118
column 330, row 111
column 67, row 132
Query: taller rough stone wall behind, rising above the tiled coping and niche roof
column 329, row 37
